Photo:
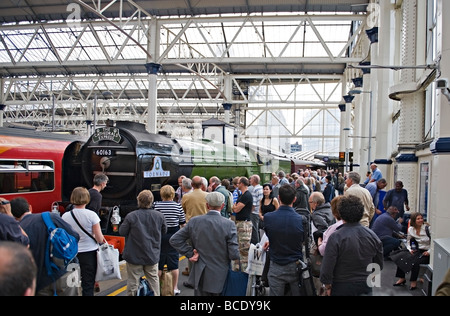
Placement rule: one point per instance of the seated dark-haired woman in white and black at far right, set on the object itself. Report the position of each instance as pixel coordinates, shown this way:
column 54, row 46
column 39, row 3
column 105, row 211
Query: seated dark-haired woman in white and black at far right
column 418, row 239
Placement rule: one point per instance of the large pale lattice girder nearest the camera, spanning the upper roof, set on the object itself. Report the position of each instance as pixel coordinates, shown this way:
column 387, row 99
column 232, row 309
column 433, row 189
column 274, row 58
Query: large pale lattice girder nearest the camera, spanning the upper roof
column 96, row 46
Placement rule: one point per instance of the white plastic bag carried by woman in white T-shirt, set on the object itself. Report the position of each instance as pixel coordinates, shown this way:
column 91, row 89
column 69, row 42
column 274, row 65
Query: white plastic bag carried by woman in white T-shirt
column 107, row 263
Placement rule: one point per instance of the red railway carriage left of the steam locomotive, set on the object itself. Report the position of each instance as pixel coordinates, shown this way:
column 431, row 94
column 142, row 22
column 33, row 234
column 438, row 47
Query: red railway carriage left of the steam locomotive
column 31, row 166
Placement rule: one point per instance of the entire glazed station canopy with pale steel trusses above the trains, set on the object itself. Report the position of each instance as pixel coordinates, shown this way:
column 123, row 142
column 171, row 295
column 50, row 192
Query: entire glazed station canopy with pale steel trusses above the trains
column 77, row 49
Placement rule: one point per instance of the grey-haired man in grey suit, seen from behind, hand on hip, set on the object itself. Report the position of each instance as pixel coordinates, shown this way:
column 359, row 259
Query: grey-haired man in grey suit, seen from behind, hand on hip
column 211, row 247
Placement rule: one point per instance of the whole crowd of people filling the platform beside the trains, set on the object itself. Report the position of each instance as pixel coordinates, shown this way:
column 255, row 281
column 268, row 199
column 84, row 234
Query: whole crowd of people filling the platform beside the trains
column 213, row 222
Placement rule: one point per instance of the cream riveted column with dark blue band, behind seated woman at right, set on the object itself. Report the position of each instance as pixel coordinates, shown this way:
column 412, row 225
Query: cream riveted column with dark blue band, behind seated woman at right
column 411, row 117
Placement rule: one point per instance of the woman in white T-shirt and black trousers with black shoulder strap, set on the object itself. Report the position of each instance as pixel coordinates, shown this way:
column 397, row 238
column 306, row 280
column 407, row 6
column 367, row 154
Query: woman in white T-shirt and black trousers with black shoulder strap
column 87, row 247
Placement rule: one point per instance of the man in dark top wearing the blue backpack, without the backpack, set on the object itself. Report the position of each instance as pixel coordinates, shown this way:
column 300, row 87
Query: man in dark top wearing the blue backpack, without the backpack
column 33, row 224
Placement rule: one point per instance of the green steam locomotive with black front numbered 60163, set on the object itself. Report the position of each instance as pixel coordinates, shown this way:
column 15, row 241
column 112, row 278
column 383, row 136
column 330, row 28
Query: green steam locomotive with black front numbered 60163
column 134, row 160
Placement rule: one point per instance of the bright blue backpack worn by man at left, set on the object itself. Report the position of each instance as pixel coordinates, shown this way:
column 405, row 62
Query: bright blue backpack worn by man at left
column 61, row 247
